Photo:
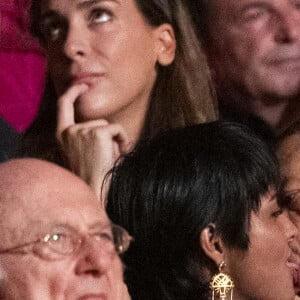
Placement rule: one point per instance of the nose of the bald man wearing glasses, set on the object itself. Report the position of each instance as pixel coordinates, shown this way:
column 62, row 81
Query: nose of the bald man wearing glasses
column 95, row 259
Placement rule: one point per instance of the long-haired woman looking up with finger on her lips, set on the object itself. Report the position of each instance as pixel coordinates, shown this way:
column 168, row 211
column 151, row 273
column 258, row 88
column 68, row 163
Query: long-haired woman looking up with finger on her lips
column 118, row 71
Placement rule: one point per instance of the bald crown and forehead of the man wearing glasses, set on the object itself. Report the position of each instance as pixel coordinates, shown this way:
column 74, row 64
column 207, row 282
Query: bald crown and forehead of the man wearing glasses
column 34, row 191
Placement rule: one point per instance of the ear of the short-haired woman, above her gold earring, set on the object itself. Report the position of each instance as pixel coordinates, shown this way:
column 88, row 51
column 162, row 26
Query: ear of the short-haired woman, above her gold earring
column 212, row 244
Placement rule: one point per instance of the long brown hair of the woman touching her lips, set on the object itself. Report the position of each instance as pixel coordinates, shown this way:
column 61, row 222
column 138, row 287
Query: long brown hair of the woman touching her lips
column 182, row 95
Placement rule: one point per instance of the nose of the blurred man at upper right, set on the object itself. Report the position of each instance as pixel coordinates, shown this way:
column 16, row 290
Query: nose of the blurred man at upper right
column 288, row 26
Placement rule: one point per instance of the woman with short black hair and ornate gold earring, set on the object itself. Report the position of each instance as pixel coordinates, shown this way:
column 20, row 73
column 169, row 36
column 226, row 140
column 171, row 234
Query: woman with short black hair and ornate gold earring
column 203, row 206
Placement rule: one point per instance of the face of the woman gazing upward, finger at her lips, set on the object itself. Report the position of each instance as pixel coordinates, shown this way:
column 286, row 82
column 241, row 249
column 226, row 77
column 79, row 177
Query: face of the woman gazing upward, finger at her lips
column 107, row 45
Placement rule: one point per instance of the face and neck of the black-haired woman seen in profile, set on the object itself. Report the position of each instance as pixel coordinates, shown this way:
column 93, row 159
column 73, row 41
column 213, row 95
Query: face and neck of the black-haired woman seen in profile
column 265, row 271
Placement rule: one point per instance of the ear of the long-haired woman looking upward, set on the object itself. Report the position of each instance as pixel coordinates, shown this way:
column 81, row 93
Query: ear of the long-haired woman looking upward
column 166, row 46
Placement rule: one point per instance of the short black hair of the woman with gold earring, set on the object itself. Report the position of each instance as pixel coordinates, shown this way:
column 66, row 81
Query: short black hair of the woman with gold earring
column 169, row 189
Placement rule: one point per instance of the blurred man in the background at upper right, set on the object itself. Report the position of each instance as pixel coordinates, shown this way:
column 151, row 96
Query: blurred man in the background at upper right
column 253, row 49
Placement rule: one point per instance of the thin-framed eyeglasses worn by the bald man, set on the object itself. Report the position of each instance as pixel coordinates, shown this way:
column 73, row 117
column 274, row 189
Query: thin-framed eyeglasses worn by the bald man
column 65, row 240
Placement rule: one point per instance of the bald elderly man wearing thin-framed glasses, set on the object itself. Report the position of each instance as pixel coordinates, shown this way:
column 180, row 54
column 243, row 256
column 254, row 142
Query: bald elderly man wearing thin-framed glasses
column 56, row 240
